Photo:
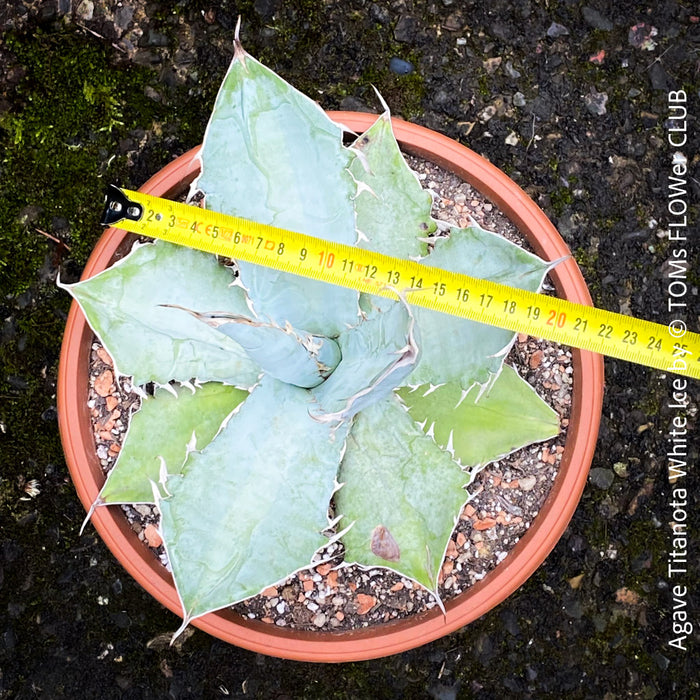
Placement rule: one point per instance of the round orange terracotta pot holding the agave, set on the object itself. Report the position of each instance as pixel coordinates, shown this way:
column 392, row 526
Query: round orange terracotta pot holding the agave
column 393, row 637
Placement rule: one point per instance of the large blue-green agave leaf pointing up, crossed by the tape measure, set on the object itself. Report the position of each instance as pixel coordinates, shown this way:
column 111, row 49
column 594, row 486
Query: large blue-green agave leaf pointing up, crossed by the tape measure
column 271, row 155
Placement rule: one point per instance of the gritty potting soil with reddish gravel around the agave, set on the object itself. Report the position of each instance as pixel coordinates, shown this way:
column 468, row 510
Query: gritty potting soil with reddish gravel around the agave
column 507, row 494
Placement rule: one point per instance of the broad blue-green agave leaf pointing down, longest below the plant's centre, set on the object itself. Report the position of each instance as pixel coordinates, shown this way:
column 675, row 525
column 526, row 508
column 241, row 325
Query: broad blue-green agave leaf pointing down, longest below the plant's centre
column 251, row 508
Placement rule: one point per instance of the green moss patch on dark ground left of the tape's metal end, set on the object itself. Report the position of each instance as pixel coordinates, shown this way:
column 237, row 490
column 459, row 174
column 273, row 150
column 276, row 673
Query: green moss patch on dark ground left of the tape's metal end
column 59, row 143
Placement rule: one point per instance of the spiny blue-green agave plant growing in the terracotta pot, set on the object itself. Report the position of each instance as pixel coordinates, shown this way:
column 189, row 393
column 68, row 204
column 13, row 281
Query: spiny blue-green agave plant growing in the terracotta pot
column 287, row 411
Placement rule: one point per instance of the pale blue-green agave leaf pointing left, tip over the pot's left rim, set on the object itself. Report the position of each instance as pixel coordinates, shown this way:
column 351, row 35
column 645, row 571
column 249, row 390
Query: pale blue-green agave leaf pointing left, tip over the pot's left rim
column 124, row 305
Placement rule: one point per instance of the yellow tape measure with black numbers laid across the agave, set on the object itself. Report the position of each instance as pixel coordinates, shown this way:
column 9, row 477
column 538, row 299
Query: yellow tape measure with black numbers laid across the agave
column 670, row 348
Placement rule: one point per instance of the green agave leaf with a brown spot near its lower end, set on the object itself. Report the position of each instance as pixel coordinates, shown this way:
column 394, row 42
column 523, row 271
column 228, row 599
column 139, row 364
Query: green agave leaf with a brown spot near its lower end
column 401, row 493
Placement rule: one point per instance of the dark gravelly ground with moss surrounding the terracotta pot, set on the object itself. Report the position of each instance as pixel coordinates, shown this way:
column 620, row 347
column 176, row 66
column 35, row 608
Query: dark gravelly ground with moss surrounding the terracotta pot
column 574, row 101
